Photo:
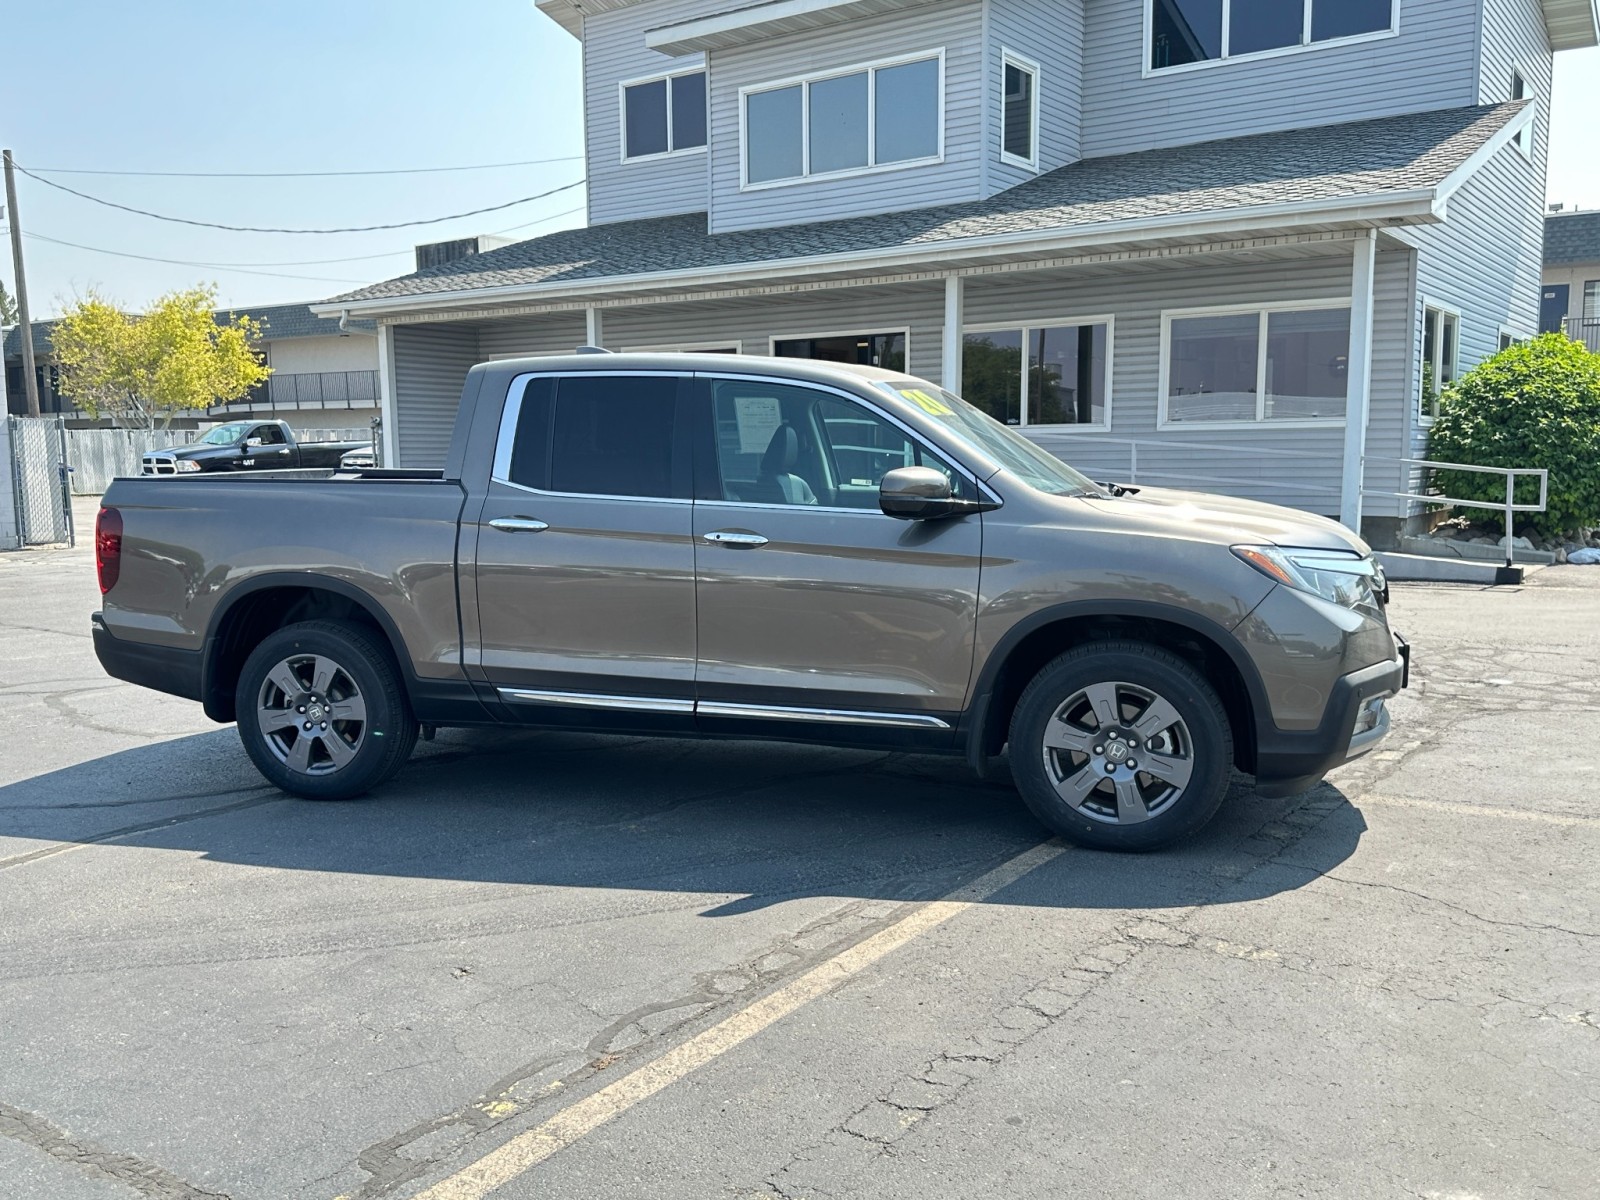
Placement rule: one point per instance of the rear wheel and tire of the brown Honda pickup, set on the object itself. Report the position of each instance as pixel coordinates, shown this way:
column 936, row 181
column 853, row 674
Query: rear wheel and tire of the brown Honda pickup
column 322, row 713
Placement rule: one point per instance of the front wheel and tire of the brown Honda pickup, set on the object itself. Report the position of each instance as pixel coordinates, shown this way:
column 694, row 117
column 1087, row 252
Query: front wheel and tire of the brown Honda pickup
column 1164, row 735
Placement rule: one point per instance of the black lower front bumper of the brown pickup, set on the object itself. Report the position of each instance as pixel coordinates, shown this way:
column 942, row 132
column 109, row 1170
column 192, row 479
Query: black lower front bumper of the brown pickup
column 1290, row 762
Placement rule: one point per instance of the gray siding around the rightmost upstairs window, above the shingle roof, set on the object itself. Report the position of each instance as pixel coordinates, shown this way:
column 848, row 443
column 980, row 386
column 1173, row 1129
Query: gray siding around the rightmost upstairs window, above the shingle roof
column 1431, row 65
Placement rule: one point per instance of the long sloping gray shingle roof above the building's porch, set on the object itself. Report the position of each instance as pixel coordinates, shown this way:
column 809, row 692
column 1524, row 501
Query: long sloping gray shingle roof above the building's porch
column 1394, row 154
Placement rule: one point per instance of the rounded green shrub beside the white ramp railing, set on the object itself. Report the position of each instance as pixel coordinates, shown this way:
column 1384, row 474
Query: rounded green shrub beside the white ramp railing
column 1535, row 406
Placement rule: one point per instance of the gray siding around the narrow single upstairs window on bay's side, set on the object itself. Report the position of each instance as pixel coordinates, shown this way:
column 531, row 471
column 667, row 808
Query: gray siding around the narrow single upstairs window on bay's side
column 1052, row 36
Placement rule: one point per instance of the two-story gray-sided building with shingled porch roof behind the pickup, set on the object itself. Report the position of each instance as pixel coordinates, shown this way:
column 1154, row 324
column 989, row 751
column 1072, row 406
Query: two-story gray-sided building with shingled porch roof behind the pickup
column 1222, row 244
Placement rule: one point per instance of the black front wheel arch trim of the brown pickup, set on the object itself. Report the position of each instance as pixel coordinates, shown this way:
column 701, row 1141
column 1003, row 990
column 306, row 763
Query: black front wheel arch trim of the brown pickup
column 1050, row 633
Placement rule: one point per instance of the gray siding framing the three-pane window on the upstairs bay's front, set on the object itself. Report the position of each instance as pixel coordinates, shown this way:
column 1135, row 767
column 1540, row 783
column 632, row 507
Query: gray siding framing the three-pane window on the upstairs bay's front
column 953, row 26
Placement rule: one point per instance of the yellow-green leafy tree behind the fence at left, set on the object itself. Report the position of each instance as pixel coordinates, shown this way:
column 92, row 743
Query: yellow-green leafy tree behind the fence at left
column 142, row 370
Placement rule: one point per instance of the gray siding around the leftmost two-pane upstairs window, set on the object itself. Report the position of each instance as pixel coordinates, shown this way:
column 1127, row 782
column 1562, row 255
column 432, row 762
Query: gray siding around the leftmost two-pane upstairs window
column 615, row 52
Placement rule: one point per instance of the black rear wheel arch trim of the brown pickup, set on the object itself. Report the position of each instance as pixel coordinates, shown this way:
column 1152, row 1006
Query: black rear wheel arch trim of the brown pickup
column 270, row 602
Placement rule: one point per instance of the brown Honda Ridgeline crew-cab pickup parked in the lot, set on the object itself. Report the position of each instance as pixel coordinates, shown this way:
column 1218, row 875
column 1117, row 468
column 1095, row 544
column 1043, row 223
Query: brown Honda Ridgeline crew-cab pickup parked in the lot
column 758, row 548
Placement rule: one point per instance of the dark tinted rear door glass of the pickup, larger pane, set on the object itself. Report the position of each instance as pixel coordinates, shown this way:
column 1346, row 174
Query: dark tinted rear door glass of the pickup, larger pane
column 614, row 436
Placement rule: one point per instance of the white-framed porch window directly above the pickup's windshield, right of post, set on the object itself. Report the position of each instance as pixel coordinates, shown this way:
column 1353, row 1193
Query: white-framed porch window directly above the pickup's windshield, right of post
column 1057, row 375
